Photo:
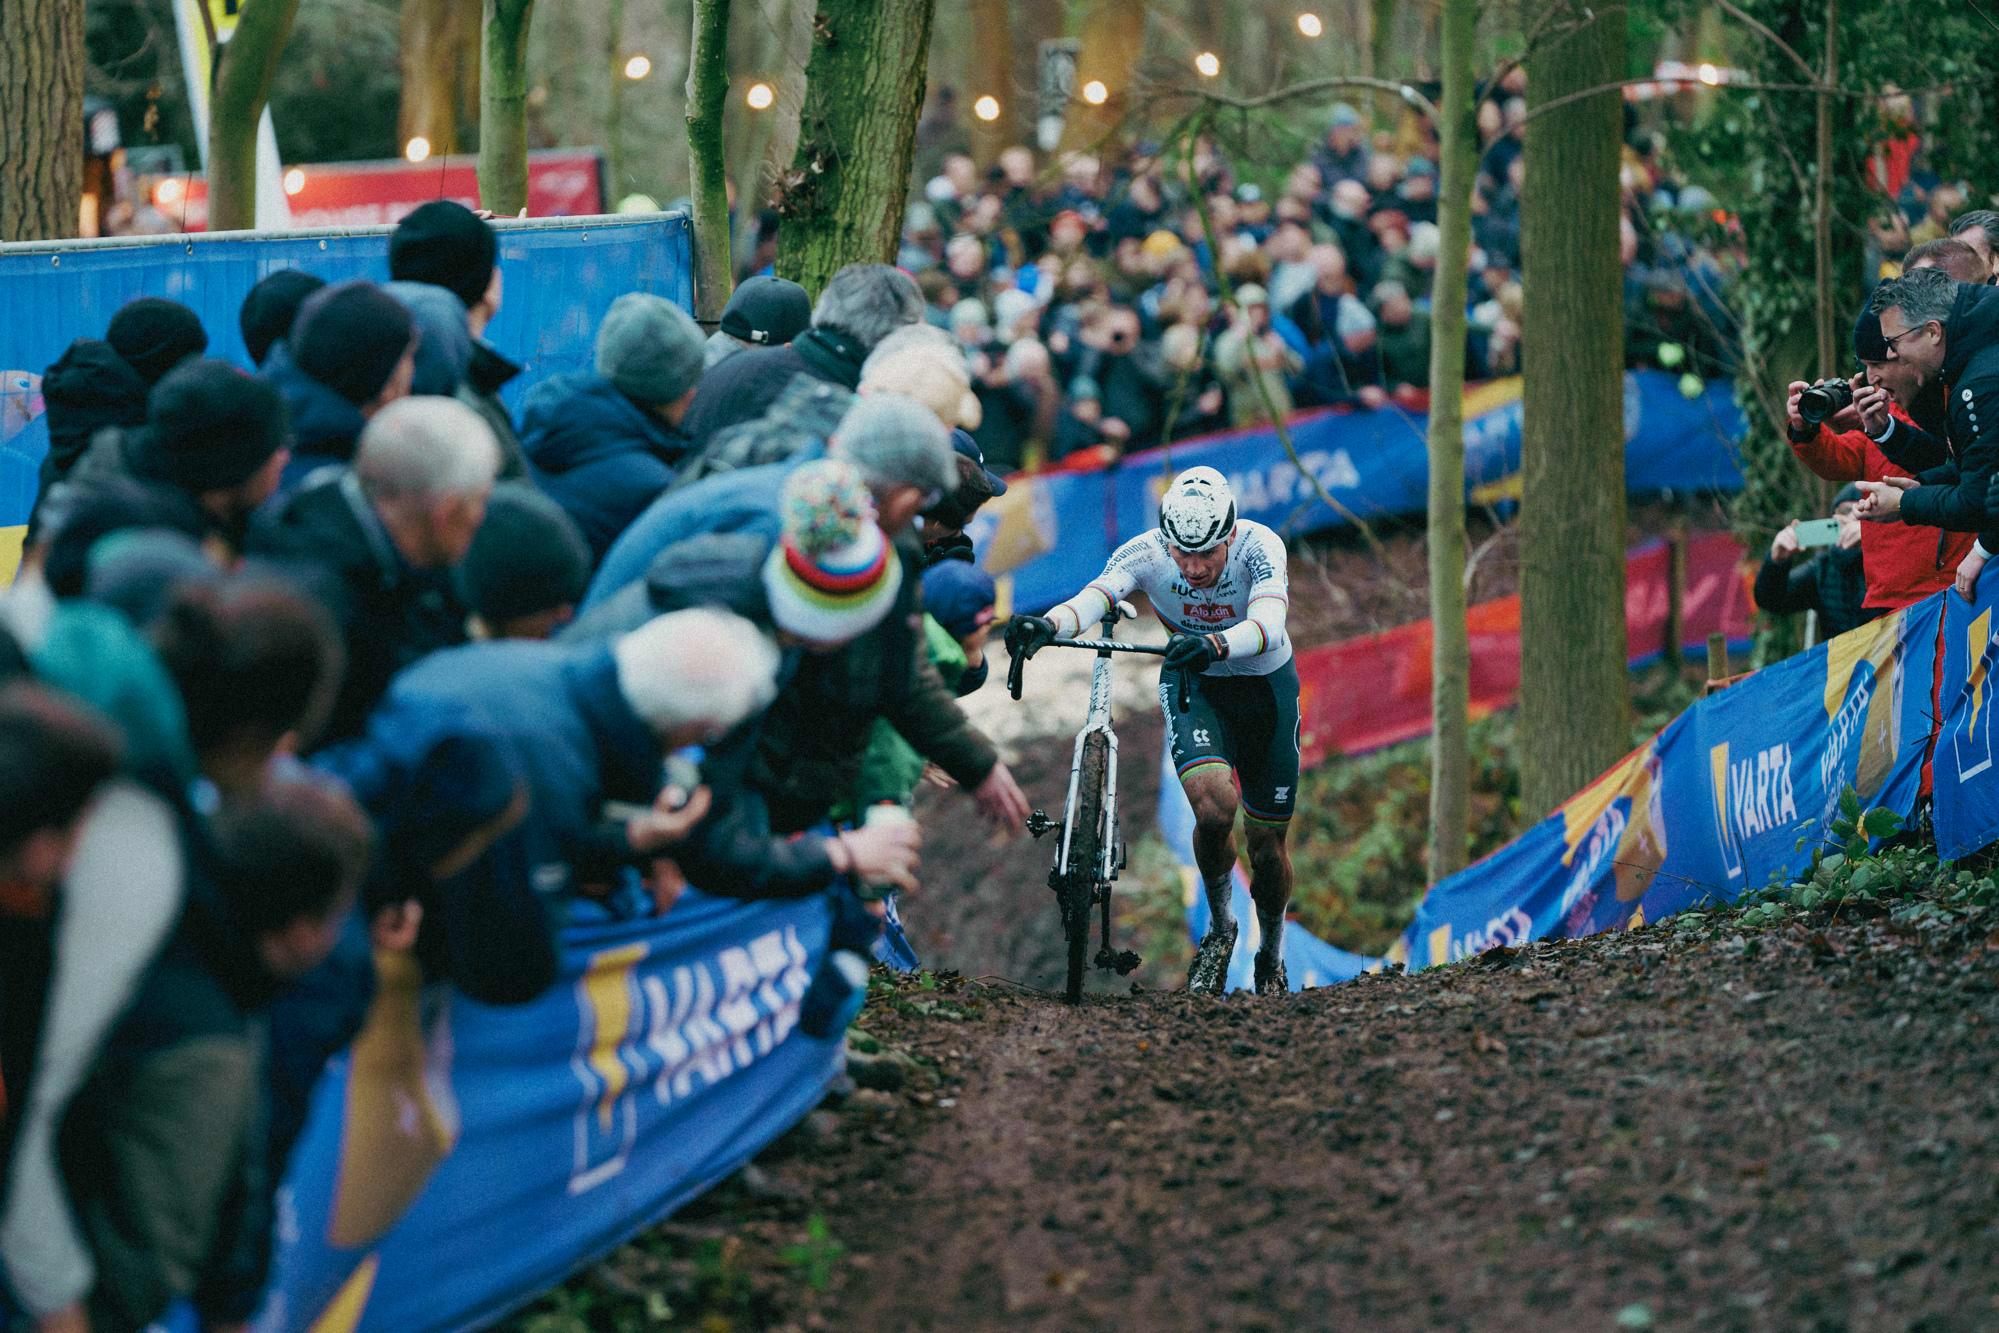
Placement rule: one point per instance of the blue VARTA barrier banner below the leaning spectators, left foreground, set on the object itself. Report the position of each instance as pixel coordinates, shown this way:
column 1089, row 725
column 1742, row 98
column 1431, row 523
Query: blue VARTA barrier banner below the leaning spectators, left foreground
column 461, row 1158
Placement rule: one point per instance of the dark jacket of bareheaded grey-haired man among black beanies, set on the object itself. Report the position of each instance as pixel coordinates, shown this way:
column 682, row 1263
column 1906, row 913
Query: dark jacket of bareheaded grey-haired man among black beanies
column 389, row 613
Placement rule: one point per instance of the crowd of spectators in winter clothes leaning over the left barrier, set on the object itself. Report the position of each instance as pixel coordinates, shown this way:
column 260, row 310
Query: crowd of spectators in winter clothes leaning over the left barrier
column 329, row 670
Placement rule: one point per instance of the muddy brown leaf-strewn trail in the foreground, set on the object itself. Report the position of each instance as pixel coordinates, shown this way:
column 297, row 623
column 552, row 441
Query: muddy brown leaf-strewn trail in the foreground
column 1690, row 1126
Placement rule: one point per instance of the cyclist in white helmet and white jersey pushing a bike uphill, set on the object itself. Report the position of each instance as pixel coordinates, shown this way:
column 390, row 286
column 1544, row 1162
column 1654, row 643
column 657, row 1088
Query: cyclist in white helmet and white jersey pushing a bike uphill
column 1218, row 585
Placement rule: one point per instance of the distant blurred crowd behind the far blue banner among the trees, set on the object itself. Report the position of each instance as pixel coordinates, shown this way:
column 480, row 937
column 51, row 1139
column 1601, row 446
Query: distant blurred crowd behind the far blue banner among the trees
column 1088, row 291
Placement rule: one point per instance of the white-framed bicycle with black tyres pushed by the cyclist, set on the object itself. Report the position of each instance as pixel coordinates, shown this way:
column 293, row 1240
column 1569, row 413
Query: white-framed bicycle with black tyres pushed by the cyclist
column 1090, row 854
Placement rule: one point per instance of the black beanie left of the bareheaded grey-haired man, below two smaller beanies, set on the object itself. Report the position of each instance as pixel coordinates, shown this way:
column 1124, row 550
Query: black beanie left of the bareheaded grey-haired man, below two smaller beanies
column 209, row 427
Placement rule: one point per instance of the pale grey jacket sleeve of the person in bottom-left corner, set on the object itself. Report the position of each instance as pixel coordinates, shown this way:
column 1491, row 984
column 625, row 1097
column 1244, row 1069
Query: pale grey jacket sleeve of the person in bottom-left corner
column 119, row 902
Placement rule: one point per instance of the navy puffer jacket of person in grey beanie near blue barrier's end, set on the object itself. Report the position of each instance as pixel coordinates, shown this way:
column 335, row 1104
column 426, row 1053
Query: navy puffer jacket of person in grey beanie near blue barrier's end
column 597, row 453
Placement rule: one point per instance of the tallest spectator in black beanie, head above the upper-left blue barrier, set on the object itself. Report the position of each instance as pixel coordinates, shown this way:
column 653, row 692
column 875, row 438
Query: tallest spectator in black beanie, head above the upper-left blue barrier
column 447, row 245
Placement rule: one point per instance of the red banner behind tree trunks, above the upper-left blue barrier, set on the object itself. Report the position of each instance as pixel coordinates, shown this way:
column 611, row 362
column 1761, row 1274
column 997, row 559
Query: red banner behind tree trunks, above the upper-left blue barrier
column 565, row 183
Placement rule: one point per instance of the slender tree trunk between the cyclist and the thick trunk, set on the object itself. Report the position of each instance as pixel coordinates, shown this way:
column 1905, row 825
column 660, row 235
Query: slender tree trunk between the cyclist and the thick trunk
column 1450, row 653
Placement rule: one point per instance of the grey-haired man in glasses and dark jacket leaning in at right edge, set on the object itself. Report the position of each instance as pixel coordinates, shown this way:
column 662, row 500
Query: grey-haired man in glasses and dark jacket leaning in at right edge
column 1938, row 331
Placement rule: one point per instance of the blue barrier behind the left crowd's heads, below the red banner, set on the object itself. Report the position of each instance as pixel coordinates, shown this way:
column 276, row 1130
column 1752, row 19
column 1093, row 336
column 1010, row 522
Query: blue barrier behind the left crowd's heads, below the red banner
column 559, row 281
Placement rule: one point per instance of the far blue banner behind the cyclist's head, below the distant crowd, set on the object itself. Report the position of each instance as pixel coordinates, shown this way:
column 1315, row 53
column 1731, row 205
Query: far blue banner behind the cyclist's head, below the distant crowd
column 1052, row 533
